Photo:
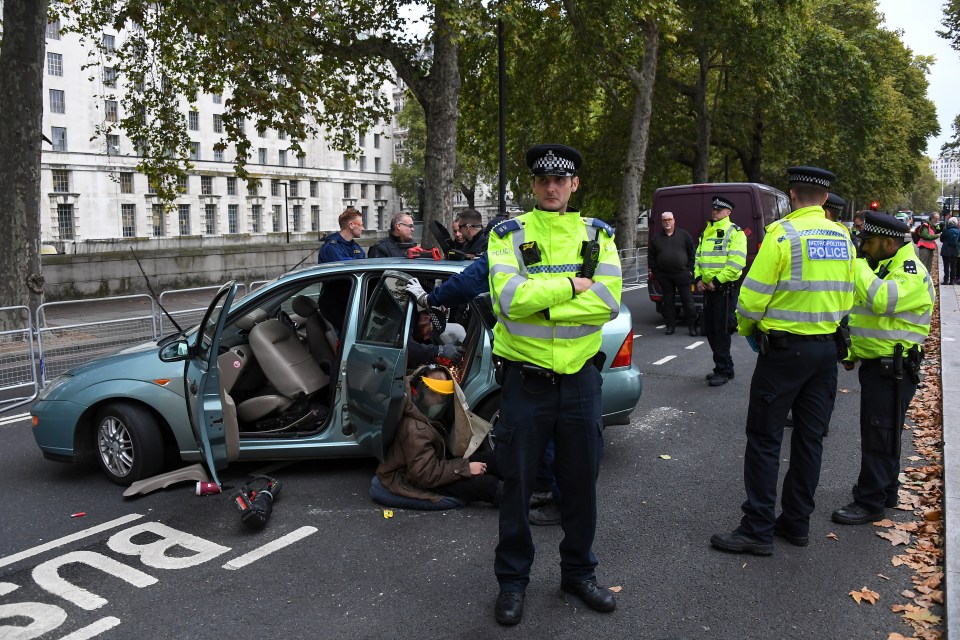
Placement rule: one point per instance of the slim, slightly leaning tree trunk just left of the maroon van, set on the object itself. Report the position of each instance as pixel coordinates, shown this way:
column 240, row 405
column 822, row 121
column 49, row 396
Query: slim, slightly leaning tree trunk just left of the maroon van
column 642, row 81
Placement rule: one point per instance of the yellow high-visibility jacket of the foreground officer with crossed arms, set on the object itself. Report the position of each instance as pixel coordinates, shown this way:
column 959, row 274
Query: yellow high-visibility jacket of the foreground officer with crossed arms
column 533, row 259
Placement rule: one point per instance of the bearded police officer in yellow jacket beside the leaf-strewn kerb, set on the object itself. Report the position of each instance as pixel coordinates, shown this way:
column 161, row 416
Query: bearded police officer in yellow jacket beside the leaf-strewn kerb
column 889, row 321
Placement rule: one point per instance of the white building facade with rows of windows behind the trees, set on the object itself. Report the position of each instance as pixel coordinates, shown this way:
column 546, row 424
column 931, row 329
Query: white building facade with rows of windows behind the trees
column 91, row 189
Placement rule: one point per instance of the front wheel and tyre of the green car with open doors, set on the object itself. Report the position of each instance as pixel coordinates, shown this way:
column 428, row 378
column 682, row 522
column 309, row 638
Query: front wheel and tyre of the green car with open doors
column 129, row 445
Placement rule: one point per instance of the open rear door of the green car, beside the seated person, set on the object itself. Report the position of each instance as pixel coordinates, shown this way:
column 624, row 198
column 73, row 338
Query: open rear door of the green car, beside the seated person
column 376, row 366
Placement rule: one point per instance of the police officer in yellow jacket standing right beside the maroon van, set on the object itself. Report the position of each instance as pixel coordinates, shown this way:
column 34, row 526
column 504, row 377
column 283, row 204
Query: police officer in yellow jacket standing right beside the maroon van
column 721, row 257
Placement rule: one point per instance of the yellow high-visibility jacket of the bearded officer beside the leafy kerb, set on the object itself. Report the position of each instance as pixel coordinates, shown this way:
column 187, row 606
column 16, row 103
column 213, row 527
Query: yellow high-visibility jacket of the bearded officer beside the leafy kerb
column 892, row 305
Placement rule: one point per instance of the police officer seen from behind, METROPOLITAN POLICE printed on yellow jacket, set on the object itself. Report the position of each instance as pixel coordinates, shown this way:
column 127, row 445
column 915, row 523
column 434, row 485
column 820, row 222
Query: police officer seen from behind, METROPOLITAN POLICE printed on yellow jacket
column 798, row 289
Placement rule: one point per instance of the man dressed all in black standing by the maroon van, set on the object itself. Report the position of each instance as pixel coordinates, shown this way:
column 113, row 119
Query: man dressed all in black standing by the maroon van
column 670, row 258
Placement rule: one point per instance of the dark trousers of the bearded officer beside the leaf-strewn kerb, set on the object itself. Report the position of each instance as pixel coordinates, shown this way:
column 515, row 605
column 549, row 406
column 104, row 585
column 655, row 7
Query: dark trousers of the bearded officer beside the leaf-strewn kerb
column 881, row 426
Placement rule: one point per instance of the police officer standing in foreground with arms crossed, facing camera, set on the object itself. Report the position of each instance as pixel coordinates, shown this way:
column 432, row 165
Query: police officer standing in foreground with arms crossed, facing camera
column 555, row 280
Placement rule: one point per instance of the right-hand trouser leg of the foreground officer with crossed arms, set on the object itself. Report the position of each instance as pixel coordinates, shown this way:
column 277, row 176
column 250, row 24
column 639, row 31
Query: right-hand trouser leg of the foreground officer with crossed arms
column 578, row 437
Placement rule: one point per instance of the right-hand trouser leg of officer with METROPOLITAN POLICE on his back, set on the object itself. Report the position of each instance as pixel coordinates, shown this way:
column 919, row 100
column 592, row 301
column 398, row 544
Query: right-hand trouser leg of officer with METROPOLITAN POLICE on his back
column 812, row 410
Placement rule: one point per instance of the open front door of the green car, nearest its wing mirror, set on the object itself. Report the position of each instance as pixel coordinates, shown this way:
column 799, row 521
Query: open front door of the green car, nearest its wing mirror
column 201, row 380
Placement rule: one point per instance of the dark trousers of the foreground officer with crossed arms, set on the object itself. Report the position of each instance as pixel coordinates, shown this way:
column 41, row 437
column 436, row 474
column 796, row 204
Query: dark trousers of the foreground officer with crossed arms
column 534, row 408
